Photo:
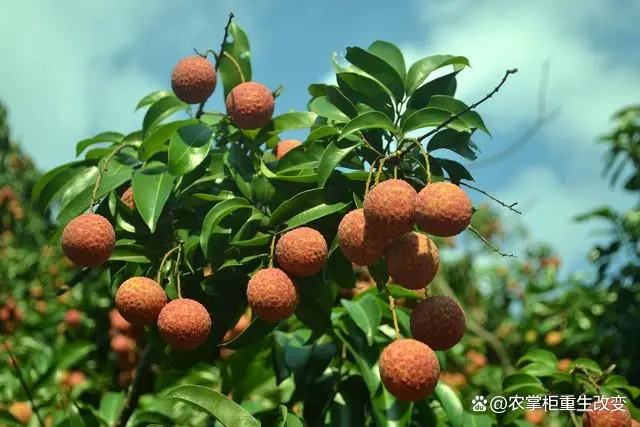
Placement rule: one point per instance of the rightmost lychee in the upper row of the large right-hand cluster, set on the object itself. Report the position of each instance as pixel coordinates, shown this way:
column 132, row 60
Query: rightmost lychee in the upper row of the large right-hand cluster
column 443, row 209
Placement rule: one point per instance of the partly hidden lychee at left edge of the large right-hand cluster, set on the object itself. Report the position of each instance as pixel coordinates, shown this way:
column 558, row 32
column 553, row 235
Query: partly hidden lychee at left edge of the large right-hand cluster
column 358, row 241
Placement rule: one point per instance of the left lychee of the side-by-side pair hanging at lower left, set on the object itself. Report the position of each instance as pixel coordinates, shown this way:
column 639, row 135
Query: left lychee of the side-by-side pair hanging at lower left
column 139, row 300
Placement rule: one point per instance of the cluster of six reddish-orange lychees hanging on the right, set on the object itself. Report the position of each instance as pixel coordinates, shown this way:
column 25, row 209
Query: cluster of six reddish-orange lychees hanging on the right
column 384, row 228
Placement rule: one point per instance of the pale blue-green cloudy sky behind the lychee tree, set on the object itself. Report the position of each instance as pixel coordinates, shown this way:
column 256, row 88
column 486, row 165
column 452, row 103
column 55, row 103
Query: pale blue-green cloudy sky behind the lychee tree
column 73, row 69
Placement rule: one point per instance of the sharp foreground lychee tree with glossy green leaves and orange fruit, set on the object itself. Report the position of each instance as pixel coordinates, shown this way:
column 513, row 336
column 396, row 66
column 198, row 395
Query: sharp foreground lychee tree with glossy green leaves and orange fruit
column 230, row 245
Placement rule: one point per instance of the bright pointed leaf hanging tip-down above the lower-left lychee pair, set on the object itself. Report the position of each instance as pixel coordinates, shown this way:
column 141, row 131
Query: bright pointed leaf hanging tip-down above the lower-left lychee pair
column 152, row 187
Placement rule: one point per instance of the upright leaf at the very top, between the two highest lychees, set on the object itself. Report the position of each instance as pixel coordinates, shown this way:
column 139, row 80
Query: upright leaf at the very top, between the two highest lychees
column 238, row 48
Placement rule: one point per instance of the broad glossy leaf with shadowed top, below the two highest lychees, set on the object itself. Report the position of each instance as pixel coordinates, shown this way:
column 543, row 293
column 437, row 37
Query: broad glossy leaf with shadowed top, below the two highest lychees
column 188, row 148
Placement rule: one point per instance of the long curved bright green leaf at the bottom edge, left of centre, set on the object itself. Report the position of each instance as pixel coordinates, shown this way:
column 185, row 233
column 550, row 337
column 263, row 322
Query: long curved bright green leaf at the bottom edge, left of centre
column 223, row 409
